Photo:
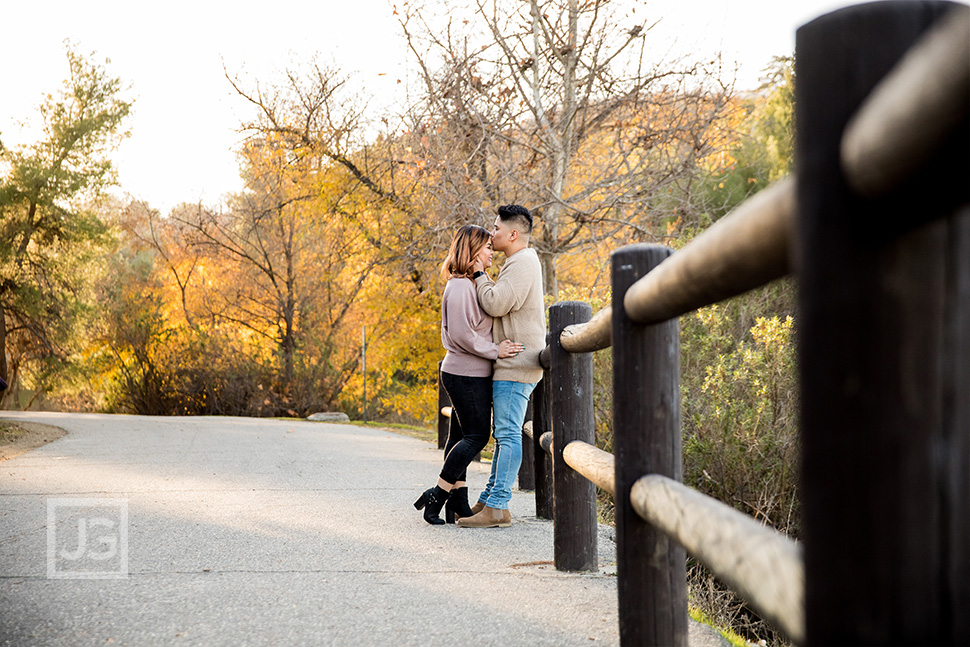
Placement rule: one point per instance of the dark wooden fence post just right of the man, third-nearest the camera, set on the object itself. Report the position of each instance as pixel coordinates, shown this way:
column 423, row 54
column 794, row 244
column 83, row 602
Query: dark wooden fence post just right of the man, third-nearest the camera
column 575, row 526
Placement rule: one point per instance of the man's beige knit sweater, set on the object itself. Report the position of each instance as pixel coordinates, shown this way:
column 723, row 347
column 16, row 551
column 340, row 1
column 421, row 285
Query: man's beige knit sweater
column 515, row 300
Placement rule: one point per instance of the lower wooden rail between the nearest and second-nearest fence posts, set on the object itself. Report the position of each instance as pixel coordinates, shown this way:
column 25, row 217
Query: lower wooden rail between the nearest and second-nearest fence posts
column 762, row 565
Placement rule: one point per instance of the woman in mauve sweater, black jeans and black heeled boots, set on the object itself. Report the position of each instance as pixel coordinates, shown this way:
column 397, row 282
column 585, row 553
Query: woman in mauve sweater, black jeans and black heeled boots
column 466, row 372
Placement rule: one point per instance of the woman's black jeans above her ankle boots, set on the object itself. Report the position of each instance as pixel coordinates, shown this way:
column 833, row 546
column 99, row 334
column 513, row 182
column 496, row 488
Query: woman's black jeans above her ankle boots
column 470, row 425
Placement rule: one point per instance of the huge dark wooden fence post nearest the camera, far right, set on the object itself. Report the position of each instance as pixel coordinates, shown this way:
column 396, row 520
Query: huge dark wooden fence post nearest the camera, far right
column 885, row 357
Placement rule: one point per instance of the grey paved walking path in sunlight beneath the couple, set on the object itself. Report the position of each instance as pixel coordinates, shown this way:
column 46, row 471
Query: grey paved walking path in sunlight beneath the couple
column 243, row 531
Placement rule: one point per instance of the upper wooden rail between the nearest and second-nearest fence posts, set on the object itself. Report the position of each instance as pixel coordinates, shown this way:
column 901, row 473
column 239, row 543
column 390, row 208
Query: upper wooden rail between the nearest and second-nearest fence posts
column 743, row 250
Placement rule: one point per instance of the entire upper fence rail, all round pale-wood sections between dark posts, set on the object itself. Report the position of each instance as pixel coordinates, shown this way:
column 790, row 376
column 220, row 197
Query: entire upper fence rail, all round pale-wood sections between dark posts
column 900, row 125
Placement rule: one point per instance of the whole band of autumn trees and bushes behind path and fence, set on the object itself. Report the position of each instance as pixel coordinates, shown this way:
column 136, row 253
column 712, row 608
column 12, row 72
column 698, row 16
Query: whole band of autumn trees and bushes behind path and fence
column 258, row 306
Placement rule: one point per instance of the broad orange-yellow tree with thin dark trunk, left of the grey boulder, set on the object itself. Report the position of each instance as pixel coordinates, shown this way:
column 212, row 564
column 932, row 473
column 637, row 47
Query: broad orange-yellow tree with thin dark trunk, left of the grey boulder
column 277, row 273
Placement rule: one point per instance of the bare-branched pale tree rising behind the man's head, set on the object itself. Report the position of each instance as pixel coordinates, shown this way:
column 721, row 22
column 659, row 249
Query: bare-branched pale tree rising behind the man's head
column 554, row 103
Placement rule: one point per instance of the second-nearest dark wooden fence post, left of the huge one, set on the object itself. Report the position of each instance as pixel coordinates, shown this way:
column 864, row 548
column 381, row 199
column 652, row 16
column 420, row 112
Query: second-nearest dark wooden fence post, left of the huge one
column 651, row 569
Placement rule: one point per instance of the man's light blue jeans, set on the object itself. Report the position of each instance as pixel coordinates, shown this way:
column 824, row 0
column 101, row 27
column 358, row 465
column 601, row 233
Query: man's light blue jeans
column 509, row 403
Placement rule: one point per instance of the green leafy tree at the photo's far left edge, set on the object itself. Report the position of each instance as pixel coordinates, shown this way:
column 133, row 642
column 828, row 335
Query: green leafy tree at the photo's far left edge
column 49, row 235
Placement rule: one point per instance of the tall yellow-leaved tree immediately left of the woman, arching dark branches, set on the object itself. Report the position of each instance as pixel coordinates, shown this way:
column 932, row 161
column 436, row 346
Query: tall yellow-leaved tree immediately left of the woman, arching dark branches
column 362, row 202
